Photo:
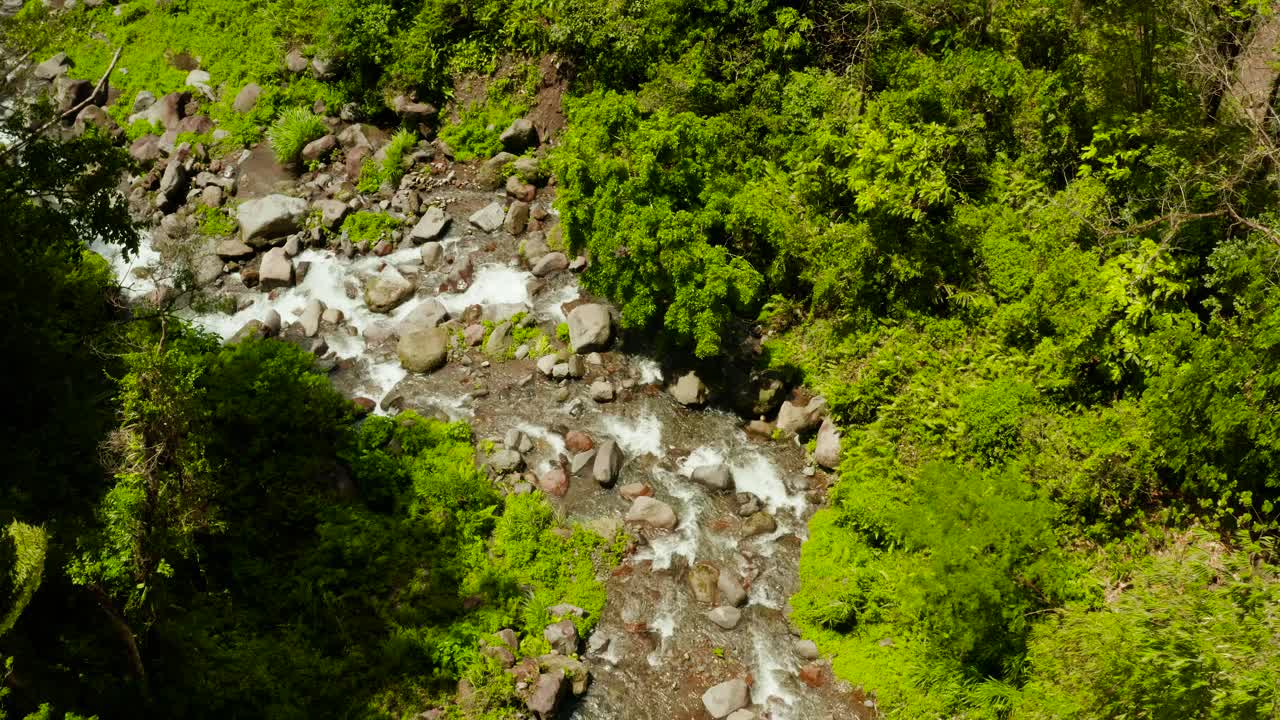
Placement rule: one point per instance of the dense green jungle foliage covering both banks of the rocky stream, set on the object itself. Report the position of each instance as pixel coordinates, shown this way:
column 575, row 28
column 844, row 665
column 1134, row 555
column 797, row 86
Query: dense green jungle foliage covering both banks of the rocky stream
column 1027, row 250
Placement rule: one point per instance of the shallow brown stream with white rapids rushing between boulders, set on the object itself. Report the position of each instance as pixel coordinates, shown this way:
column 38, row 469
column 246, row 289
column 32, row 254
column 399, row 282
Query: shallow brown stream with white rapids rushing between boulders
column 662, row 651
